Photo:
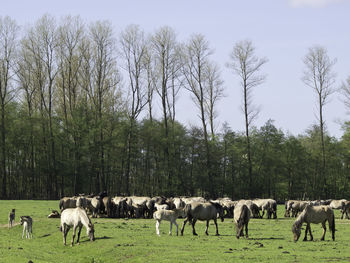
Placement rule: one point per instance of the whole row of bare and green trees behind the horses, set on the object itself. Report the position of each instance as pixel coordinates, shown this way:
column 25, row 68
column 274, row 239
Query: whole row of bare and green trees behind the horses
column 78, row 111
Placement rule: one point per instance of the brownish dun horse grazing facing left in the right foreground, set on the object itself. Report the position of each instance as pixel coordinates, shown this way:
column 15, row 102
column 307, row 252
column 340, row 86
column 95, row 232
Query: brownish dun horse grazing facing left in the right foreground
column 315, row 215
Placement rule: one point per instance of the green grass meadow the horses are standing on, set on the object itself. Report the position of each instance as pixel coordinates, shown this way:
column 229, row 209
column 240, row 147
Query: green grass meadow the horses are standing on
column 135, row 240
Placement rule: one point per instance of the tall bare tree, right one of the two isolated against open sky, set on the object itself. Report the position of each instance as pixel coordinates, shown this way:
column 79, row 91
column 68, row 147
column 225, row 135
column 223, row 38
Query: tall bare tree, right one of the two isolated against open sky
column 319, row 76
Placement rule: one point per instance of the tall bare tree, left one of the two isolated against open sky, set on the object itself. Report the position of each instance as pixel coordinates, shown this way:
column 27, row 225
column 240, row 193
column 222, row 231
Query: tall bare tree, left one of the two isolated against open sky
column 247, row 65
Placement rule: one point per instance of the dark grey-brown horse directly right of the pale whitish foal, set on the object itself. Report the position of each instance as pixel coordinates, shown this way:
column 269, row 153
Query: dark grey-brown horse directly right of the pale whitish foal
column 202, row 211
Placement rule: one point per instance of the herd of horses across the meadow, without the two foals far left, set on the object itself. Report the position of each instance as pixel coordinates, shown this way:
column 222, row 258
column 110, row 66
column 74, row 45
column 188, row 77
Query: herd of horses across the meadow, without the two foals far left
column 74, row 212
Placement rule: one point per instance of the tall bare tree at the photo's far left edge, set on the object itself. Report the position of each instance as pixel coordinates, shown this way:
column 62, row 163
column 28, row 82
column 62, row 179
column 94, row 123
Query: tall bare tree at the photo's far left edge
column 8, row 44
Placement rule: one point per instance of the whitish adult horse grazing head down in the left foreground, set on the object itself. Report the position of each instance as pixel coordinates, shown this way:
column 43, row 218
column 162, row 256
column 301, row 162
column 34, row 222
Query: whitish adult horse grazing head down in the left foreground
column 76, row 217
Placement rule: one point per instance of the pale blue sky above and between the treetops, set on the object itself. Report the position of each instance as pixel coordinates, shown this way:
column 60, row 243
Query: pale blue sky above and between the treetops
column 281, row 30
